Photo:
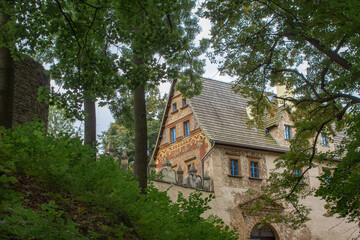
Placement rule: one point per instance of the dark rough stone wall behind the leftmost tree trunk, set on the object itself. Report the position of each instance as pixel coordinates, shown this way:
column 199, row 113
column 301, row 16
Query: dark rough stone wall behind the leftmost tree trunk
column 29, row 76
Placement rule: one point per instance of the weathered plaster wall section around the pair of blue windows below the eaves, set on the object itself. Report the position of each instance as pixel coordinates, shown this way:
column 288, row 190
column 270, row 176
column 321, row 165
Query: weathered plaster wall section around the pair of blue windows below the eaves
column 230, row 190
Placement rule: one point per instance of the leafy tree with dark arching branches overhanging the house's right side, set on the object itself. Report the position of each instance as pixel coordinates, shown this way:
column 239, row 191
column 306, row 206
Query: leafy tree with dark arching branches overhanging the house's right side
column 267, row 42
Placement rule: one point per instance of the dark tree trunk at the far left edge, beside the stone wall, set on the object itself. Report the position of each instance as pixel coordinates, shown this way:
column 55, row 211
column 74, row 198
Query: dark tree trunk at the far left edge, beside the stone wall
column 7, row 80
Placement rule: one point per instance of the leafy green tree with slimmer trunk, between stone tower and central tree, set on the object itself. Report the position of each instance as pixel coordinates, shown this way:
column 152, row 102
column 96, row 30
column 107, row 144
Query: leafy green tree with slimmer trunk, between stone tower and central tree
column 69, row 36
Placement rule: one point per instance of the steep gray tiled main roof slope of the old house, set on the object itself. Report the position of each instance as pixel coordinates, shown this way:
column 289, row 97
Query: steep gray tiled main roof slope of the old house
column 221, row 114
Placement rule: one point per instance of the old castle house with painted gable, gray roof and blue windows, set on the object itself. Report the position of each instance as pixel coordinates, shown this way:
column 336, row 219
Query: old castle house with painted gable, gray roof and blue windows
column 205, row 143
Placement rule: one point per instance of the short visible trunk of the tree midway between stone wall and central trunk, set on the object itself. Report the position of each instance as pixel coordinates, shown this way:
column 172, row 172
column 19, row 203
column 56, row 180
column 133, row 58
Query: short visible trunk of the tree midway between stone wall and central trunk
column 90, row 123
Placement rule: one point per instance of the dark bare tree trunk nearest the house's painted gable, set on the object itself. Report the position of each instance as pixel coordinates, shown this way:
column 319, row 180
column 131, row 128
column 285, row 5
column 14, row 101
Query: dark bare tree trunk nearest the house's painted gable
column 140, row 164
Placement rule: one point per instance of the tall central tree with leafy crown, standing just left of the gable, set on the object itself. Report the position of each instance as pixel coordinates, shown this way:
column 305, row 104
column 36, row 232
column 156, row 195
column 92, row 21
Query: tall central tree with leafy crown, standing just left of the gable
column 158, row 43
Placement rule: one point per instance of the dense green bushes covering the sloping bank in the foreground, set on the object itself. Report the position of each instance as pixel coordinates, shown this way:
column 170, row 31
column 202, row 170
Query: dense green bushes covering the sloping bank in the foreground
column 52, row 189
